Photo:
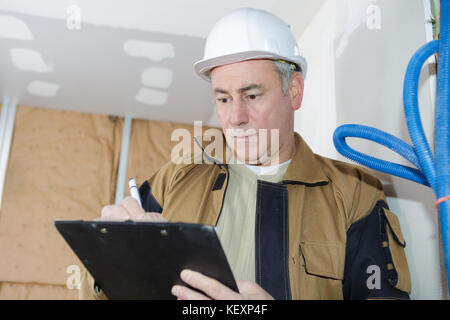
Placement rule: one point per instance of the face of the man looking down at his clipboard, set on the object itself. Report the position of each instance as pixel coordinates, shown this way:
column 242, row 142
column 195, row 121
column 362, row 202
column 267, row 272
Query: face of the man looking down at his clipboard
column 252, row 108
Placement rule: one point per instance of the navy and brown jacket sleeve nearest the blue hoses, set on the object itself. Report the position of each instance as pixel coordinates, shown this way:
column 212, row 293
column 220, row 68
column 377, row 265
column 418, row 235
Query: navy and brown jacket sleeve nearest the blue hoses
column 375, row 261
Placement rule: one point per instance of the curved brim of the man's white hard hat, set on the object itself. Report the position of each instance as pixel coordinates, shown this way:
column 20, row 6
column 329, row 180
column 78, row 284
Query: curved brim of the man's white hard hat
column 203, row 67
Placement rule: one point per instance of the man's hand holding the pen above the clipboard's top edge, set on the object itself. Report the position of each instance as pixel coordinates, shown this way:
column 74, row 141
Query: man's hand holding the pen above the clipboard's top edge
column 129, row 209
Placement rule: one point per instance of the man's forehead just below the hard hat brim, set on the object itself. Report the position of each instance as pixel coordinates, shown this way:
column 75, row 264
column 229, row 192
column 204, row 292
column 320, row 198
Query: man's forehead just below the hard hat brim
column 245, row 72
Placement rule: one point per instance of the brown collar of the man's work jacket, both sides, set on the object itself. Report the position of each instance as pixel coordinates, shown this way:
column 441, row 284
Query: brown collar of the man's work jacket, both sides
column 303, row 169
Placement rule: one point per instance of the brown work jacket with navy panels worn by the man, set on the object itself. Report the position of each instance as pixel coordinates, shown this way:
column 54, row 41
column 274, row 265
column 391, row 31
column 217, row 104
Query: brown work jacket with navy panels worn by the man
column 323, row 232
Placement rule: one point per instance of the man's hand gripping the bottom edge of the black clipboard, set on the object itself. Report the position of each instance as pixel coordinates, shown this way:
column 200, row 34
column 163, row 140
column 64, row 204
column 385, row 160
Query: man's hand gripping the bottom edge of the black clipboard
column 213, row 289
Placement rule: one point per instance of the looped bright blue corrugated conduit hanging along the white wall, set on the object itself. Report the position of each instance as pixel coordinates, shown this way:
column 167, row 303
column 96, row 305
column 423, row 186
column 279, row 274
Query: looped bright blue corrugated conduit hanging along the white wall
column 431, row 170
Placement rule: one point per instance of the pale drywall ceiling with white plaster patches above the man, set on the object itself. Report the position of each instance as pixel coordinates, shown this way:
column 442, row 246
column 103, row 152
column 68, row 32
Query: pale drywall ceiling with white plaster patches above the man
column 126, row 58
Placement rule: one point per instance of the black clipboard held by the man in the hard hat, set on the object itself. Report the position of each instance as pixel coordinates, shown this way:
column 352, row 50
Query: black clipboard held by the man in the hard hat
column 143, row 260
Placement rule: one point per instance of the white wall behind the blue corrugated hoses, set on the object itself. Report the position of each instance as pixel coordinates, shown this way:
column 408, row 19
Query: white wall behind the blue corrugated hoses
column 356, row 76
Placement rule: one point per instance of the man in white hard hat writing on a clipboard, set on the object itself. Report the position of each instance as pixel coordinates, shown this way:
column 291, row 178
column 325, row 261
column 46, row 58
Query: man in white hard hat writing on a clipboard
column 294, row 225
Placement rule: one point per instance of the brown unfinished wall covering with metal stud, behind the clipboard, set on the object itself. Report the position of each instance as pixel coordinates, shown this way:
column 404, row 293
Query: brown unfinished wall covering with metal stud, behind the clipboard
column 63, row 165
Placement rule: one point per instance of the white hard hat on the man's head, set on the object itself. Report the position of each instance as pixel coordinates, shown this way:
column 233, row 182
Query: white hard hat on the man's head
column 246, row 34
